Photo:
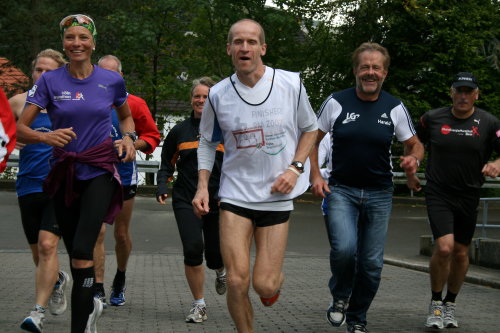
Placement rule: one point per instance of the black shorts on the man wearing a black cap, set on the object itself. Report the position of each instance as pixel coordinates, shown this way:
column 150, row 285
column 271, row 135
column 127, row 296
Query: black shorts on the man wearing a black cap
column 452, row 213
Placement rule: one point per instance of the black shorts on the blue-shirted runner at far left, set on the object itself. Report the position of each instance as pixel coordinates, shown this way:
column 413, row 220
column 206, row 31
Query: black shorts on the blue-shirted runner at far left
column 37, row 213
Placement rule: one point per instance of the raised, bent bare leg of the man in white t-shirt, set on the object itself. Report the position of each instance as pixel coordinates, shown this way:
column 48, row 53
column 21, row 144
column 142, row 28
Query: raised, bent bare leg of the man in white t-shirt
column 270, row 250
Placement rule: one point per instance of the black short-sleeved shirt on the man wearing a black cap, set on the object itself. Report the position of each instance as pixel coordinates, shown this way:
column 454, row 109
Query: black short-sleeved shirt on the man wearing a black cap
column 458, row 148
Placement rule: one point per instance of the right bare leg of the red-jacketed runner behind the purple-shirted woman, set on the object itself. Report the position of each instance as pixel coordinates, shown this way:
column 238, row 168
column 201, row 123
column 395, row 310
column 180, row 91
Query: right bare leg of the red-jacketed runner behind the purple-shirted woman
column 123, row 245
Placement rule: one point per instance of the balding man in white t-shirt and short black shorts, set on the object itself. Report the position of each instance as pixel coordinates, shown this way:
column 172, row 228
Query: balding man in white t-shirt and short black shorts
column 264, row 117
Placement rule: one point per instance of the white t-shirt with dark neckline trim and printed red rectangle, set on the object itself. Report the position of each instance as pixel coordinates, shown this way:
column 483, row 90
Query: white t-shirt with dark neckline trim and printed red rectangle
column 261, row 127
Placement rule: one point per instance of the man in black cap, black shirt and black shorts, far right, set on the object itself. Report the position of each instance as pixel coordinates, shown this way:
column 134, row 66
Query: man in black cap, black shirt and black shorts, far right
column 460, row 140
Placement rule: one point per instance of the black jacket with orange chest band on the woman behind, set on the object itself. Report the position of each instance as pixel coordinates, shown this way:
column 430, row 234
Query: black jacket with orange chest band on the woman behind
column 180, row 151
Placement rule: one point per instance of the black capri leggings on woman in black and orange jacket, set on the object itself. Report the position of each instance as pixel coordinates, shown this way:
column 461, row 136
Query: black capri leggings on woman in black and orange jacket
column 198, row 235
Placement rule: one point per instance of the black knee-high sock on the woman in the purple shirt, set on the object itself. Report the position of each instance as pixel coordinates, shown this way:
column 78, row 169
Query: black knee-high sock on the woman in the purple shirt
column 82, row 297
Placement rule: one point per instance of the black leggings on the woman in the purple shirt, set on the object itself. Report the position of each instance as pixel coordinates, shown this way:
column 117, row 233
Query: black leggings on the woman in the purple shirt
column 81, row 222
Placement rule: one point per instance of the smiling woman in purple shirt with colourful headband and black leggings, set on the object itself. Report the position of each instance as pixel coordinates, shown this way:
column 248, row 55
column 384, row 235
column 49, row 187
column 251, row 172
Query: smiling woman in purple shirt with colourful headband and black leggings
column 83, row 180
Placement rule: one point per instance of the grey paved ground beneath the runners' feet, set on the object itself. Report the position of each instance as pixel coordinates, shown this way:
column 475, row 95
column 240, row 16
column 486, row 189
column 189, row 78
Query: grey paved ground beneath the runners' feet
column 158, row 297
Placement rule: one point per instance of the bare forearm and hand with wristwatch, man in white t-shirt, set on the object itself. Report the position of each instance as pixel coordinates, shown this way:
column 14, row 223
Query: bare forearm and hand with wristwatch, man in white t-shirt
column 287, row 180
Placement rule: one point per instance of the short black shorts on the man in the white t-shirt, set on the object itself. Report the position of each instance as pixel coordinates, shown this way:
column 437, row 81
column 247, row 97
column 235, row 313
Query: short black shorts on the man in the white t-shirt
column 260, row 218
